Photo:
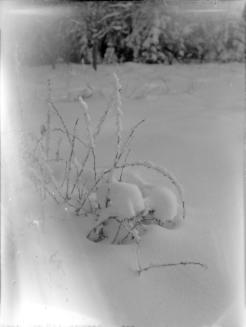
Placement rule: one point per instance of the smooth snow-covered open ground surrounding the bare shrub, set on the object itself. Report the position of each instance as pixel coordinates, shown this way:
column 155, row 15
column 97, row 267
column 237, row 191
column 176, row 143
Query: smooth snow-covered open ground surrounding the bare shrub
column 194, row 127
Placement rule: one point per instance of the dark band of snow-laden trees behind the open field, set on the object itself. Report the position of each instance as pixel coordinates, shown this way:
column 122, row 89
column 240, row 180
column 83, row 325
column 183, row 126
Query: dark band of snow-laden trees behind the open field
column 146, row 31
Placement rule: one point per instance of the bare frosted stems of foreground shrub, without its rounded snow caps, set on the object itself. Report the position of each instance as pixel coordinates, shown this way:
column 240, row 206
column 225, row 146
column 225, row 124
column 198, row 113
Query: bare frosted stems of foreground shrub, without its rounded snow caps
column 59, row 145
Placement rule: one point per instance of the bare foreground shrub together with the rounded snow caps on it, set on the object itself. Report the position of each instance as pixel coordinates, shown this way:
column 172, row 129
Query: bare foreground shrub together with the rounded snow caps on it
column 118, row 202
